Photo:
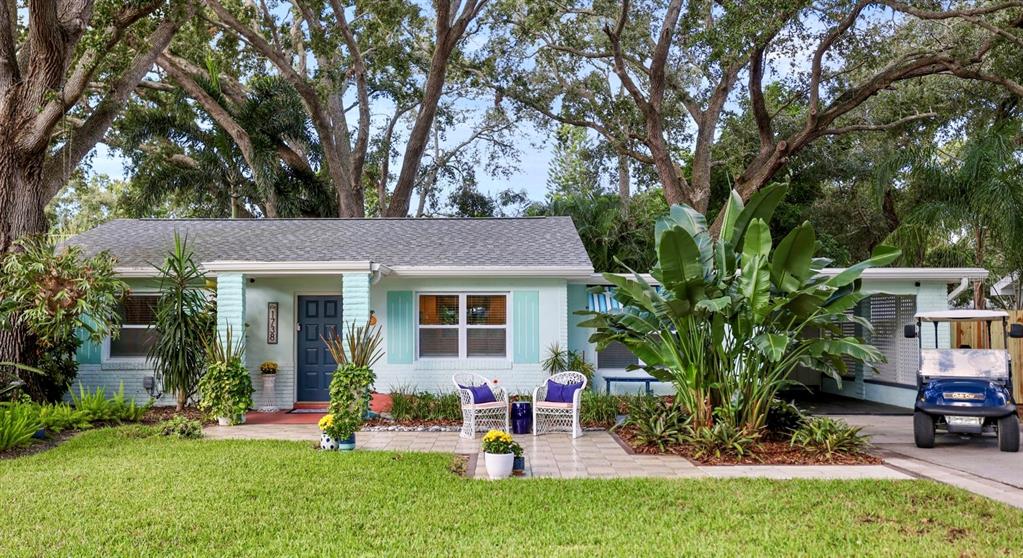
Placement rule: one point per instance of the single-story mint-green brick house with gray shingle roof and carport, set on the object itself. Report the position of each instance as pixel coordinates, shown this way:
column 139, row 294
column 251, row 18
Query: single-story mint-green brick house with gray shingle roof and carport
column 451, row 295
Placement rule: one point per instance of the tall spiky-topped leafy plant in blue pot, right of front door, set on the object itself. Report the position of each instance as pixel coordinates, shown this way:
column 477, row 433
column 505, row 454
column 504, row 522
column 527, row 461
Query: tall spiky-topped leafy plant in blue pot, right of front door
column 352, row 383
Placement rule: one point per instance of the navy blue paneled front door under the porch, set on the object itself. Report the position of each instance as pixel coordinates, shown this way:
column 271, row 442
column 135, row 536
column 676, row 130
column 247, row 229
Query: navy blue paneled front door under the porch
column 319, row 317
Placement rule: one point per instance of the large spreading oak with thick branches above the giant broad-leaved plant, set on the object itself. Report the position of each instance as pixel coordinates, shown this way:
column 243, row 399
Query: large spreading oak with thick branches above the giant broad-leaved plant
column 654, row 78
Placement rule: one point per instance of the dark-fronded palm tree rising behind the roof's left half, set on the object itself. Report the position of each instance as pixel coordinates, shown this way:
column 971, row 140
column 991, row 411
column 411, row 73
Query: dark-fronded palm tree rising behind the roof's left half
column 180, row 154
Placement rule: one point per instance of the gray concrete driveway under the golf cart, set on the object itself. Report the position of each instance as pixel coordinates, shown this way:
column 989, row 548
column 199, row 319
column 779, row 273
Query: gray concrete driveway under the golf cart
column 976, row 457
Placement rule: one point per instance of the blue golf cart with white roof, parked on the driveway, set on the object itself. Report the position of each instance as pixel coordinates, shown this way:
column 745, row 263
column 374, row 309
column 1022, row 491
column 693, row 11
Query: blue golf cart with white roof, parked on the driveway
column 965, row 391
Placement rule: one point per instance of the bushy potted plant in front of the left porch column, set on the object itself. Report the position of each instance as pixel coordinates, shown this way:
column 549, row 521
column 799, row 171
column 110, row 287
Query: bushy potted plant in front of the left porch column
column 227, row 389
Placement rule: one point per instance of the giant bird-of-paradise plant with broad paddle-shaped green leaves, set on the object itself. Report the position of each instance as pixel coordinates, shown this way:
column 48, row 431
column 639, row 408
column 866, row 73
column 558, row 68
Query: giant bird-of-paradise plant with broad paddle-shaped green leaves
column 734, row 316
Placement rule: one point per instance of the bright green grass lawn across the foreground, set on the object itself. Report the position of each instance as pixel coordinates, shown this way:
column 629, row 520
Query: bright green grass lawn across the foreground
column 104, row 494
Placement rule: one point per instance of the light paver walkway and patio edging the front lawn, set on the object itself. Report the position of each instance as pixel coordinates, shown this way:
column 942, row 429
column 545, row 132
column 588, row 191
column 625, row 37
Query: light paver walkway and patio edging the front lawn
column 594, row 455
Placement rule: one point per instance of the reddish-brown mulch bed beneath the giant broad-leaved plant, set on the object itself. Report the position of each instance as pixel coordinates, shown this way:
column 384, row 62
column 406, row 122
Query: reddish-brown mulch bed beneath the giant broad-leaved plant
column 766, row 453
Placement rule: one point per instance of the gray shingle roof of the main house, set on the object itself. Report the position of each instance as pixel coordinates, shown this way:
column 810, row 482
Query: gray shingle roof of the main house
column 503, row 242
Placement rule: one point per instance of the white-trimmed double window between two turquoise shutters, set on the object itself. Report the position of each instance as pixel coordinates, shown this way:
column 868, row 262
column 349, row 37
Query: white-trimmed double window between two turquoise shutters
column 463, row 325
